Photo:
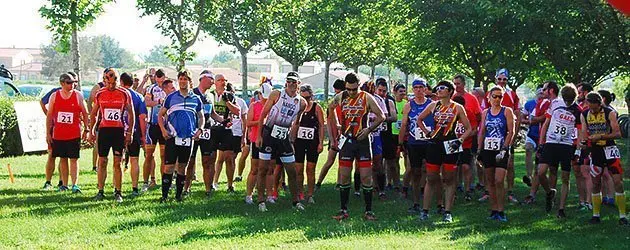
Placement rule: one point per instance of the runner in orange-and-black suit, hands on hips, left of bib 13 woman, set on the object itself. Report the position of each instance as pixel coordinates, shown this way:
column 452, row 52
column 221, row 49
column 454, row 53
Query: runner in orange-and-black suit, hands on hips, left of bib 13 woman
column 444, row 153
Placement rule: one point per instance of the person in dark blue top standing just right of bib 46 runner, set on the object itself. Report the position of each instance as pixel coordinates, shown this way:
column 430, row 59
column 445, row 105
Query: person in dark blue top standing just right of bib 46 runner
column 139, row 130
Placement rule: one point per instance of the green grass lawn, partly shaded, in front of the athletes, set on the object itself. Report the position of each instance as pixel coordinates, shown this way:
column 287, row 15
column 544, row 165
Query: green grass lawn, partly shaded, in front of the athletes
column 32, row 218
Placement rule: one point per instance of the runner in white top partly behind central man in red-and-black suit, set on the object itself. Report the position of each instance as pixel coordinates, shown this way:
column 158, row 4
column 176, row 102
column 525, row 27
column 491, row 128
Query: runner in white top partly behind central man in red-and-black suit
column 378, row 173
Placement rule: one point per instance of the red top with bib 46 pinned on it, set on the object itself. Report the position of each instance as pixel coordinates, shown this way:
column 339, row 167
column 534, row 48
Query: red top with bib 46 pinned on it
column 111, row 105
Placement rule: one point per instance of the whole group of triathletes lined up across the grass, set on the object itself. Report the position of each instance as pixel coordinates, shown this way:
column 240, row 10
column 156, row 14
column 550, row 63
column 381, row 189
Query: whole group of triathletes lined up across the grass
column 443, row 133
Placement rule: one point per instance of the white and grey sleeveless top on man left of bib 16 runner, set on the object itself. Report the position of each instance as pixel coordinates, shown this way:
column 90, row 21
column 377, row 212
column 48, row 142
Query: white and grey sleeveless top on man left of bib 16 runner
column 284, row 112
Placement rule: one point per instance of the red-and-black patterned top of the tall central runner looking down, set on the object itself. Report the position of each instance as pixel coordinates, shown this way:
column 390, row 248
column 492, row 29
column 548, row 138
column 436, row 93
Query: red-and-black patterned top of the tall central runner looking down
column 353, row 113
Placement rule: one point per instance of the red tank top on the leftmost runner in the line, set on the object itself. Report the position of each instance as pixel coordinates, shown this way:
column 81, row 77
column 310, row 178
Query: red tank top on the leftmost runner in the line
column 66, row 117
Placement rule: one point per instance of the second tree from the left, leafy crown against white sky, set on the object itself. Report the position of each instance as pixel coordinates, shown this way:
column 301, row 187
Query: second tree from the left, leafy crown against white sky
column 180, row 22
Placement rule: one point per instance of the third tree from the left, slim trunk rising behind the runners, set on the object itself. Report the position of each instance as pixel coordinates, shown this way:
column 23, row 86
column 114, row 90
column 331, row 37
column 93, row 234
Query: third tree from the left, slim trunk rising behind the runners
column 239, row 24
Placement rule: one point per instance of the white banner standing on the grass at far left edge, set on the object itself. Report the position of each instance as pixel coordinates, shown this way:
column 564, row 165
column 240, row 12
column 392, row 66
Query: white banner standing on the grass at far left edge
column 32, row 125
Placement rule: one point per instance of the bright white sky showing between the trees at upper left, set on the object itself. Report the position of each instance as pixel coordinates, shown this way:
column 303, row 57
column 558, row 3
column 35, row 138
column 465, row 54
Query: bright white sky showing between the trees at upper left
column 121, row 20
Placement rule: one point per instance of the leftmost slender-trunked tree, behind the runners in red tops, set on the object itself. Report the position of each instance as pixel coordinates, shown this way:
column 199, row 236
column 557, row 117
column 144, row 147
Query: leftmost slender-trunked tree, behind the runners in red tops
column 68, row 17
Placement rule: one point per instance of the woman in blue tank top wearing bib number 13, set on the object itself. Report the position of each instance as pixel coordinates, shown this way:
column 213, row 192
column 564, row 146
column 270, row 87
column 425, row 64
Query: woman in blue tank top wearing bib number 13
column 495, row 138
